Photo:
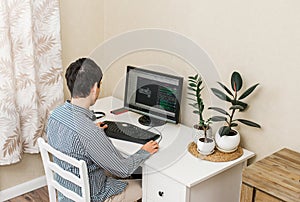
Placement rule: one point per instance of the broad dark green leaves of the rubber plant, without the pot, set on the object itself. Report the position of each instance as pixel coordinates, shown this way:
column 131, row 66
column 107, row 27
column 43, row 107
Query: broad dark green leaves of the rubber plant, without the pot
column 237, row 105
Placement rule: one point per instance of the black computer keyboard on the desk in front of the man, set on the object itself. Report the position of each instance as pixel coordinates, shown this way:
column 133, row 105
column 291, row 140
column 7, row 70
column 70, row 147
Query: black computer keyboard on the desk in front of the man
column 128, row 132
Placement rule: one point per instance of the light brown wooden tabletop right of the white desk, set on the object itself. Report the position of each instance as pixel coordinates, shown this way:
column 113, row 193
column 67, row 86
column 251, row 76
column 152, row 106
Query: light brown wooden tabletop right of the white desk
column 277, row 174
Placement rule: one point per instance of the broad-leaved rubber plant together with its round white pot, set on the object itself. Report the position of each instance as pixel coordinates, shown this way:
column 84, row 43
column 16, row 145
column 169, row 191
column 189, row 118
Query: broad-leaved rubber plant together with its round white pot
column 227, row 139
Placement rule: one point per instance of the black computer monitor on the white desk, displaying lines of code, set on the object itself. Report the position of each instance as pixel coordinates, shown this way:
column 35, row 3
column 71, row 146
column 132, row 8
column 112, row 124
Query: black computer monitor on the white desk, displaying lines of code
column 153, row 94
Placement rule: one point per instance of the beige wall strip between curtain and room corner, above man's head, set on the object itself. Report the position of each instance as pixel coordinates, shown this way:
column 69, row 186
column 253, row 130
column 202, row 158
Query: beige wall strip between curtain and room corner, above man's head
column 82, row 29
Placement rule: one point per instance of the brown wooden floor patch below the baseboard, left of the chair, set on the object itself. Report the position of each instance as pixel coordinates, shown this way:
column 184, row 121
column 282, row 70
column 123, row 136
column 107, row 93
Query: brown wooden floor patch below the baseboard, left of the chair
column 39, row 195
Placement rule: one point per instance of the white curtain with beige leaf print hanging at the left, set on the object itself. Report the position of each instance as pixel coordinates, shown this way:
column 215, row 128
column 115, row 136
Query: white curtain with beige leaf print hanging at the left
column 31, row 81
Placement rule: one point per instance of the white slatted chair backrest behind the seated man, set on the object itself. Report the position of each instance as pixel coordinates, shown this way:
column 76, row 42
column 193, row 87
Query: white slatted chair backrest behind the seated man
column 51, row 168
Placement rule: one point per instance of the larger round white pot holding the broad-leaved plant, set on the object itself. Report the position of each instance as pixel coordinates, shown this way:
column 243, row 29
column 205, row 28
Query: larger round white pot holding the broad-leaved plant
column 227, row 144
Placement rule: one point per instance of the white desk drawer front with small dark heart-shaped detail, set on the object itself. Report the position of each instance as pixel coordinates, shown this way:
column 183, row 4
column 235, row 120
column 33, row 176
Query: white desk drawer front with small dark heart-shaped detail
column 158, row 187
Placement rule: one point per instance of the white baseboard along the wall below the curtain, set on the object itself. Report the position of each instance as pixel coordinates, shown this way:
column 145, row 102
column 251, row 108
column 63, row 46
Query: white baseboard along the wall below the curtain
column 22, row 188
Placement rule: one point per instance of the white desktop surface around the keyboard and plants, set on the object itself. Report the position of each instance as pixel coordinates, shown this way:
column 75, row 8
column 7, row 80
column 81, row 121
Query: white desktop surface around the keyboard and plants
column 172, row 159
